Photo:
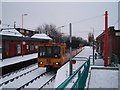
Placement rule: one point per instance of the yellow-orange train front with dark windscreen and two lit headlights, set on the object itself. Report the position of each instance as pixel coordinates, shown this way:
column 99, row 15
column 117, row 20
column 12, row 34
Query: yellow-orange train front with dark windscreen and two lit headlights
column 51, row 55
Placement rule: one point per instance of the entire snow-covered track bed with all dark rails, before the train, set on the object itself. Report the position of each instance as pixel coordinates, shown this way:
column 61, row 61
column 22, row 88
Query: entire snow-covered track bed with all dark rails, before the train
column 9, row 80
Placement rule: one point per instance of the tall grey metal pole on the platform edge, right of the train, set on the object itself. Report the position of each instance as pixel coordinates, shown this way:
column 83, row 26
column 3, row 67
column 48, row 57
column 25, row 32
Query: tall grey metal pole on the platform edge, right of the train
column 70, row 50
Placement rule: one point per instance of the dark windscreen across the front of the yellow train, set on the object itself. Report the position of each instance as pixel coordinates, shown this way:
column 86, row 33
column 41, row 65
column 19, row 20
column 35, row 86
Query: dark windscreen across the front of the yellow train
column 49, row 52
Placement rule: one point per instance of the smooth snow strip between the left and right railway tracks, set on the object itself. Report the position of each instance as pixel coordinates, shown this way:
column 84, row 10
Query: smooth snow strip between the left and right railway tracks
column 23, row 80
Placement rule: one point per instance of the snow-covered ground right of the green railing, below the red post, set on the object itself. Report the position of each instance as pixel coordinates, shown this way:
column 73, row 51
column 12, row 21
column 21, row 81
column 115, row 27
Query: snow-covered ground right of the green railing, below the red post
column 104, row 77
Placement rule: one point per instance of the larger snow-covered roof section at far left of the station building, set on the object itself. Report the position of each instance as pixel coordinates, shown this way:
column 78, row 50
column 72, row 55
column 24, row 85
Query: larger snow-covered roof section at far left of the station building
column 11, row 32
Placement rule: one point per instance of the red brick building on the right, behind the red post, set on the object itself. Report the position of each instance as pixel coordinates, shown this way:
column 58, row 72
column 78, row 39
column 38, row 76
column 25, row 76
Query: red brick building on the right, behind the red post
column 113, row 42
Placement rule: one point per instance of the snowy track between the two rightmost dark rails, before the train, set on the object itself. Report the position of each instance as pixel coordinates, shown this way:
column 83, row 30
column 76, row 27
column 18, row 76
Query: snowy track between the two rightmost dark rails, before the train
column 40, row 81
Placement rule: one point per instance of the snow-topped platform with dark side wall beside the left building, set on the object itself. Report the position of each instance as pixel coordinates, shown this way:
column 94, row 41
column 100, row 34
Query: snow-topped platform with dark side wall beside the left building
column 15, row 63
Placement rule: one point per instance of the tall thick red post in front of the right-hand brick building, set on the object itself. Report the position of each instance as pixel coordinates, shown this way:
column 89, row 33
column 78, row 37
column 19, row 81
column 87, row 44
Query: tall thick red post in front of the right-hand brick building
column 106, row 40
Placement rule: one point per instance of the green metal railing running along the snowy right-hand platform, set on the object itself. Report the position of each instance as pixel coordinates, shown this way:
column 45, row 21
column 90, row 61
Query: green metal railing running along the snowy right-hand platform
column 80, row 76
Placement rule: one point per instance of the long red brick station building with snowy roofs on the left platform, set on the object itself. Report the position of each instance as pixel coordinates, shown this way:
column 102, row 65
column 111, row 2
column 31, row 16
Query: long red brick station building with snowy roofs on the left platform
column 16, row 41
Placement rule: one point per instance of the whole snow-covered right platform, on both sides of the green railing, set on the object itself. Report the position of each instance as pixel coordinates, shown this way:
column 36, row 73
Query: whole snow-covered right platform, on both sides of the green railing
column 99, row 76
